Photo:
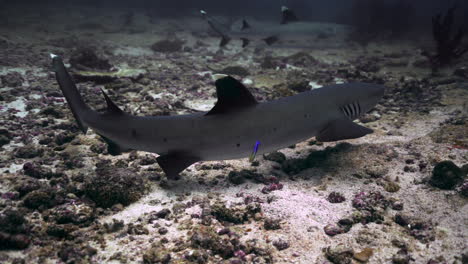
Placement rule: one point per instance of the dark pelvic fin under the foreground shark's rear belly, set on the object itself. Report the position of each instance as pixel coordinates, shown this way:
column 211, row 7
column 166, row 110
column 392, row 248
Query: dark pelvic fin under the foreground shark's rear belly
column 175, row 162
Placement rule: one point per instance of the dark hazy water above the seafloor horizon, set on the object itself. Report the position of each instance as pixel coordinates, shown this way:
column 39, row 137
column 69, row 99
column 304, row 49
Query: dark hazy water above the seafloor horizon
column 321, row 10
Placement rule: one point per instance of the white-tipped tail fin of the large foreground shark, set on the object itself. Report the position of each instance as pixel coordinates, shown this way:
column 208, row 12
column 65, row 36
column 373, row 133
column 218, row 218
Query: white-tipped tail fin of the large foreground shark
column 69, row 90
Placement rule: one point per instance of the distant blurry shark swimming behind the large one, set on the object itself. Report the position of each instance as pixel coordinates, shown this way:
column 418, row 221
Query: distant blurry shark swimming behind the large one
column 290, row 28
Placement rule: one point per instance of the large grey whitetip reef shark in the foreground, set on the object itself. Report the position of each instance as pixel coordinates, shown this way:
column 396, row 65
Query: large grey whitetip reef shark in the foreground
column 236, row 125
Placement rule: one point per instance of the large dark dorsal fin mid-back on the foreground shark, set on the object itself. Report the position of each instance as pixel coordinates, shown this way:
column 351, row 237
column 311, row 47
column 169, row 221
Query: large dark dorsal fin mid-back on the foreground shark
column 232, row 95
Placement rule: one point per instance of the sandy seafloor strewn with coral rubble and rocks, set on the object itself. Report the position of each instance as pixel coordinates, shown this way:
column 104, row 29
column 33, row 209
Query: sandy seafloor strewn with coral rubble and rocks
column 63, row 211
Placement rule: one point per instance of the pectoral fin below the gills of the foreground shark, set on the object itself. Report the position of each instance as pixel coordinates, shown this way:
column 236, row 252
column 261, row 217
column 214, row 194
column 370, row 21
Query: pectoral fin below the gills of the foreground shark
column 342, row 129
